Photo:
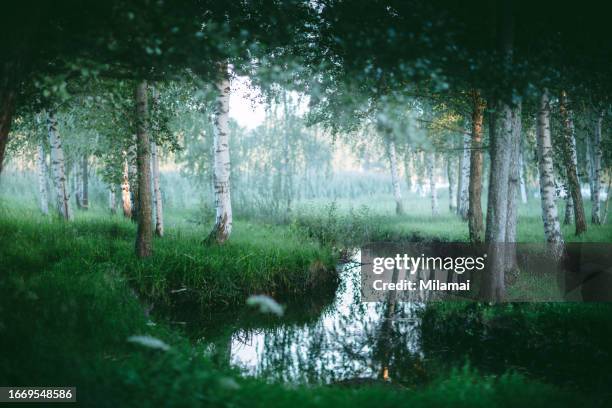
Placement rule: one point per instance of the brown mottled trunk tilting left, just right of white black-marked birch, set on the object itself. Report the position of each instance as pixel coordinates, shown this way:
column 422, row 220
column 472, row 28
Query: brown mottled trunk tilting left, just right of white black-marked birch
column 570, row 162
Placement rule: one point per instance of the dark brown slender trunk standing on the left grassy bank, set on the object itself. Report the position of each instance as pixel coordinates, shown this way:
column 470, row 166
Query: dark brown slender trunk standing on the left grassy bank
column 143, row 158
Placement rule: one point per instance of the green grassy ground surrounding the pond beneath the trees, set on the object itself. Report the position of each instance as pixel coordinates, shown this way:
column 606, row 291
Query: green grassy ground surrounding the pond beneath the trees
column 72, row 294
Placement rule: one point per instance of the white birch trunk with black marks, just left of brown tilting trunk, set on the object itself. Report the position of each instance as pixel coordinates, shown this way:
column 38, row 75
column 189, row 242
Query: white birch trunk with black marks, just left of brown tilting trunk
column 552, row 229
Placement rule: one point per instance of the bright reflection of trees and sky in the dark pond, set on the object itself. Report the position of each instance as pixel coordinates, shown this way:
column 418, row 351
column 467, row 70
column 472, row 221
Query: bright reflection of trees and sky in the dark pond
column 351, row 342
